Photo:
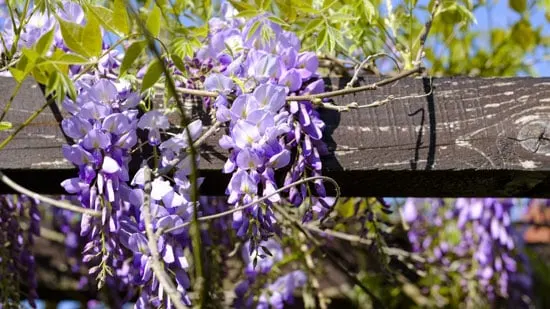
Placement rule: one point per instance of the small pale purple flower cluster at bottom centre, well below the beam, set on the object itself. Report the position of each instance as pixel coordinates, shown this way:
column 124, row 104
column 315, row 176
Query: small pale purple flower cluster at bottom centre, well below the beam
column 274, row 294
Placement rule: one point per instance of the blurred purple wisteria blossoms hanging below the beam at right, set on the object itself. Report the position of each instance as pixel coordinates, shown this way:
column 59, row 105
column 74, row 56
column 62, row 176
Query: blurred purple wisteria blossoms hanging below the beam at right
column 477, row 234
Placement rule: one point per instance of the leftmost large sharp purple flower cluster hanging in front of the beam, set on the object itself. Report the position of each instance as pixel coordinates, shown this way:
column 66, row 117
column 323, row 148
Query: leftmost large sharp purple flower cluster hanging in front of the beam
column 103, row 125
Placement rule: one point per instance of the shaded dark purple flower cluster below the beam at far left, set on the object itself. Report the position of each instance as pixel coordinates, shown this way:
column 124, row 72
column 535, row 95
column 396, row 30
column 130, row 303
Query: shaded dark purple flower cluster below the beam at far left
column 17, row 264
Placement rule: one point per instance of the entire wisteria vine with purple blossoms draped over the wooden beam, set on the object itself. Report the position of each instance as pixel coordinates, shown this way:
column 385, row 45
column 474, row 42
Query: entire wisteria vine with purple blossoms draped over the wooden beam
column 137, row 223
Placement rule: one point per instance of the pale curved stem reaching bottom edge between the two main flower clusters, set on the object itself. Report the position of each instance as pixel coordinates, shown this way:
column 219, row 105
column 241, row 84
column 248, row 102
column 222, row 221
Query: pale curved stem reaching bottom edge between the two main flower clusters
column 152, row 243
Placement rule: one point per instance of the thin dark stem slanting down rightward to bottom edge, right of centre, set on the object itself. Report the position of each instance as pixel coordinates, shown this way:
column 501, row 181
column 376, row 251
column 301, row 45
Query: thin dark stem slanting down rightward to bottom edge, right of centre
column 377, row 303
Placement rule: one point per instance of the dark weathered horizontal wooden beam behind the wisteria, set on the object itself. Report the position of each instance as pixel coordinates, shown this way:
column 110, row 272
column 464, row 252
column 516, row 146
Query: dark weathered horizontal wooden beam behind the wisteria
column 450, row 137
